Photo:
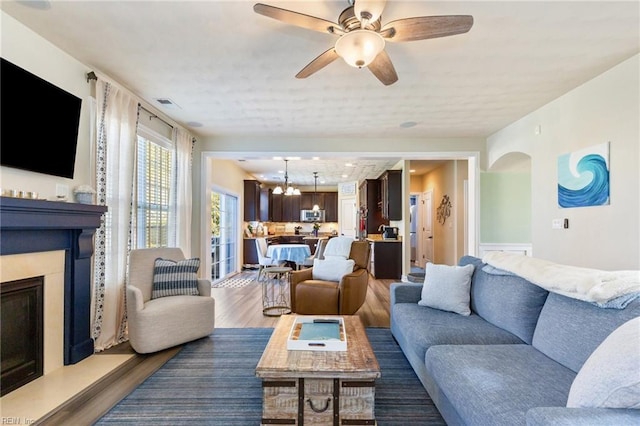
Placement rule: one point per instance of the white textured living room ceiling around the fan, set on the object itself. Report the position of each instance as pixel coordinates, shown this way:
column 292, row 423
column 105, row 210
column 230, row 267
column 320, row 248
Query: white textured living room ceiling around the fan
column 233, row 70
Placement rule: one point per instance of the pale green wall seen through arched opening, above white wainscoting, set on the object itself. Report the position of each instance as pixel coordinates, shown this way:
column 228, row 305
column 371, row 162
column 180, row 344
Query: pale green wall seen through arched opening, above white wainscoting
column 505, row 207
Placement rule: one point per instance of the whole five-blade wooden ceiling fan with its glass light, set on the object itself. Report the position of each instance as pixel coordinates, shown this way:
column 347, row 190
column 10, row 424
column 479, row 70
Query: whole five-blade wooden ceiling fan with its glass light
column 362, row 36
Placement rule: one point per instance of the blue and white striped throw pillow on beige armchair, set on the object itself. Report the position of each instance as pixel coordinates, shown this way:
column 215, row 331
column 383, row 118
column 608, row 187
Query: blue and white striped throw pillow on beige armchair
column 171, row 278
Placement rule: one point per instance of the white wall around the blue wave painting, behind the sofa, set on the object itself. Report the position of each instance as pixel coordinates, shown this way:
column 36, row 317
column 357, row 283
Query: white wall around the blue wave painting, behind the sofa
column 605, row 109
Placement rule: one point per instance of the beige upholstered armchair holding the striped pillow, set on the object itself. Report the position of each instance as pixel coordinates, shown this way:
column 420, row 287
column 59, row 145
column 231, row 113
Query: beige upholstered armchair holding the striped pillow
column 157, row 324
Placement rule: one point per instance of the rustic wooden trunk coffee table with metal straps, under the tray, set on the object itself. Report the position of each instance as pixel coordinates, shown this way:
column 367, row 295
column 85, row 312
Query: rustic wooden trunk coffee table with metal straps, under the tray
column 318, row 387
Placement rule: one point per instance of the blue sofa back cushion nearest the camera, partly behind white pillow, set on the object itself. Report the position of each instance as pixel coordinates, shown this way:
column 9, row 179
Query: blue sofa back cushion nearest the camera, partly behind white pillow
column 569, row 330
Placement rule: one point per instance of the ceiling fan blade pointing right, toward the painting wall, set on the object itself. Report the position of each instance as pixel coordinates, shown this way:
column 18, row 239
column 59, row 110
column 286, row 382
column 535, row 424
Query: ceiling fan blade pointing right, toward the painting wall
column 424, row 27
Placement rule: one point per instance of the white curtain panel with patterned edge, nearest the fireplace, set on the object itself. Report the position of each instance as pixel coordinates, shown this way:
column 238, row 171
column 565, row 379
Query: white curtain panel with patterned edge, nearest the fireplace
column 117, row 116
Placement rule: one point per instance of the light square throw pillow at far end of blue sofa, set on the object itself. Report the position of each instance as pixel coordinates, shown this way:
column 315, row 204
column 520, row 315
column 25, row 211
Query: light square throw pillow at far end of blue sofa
column 447, row 288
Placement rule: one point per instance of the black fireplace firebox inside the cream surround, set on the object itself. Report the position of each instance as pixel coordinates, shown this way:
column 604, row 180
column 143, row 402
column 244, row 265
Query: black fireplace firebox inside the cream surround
column 22, row 316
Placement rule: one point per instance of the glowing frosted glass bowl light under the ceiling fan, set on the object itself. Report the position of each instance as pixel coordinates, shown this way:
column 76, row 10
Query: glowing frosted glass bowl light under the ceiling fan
column 359, row 48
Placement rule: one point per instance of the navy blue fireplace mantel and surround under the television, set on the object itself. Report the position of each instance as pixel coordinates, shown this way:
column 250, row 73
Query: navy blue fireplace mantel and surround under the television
column 32, row 226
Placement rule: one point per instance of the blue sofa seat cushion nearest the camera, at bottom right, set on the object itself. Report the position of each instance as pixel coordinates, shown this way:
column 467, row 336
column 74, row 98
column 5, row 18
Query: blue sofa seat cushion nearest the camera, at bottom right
column 497, row 384
